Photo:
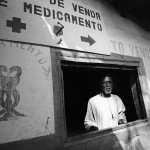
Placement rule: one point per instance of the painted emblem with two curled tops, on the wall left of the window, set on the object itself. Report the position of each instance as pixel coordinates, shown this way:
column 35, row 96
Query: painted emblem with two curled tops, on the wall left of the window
column 9, row 96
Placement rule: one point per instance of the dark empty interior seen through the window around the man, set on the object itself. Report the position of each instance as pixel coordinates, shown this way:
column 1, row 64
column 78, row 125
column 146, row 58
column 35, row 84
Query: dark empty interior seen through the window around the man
column 81, row 82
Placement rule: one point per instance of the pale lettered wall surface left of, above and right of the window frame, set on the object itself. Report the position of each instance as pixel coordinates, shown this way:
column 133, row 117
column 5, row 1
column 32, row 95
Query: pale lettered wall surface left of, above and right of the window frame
column 85, row 25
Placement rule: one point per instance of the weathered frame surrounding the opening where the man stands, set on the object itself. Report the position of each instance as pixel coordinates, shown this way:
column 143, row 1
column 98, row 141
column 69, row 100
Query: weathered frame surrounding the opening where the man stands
column 58, row 55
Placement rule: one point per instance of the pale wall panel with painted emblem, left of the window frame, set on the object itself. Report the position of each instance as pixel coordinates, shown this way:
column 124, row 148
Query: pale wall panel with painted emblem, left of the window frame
column 26, row 92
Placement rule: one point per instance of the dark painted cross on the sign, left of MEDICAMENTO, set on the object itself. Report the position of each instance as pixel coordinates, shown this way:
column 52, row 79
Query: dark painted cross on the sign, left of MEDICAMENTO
column 16, row 25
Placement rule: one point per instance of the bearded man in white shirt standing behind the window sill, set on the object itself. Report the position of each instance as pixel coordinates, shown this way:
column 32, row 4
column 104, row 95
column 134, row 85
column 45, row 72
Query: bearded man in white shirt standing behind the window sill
column 104, row 110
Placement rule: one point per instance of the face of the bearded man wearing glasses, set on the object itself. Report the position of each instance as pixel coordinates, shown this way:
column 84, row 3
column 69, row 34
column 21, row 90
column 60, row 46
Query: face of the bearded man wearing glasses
column 107, row 85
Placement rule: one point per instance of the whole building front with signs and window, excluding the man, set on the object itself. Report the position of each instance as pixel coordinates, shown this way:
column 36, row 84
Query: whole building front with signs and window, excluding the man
column 52, row 52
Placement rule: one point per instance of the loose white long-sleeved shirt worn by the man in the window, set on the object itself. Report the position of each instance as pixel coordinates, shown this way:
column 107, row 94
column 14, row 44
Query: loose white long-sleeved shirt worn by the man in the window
column 104, row 112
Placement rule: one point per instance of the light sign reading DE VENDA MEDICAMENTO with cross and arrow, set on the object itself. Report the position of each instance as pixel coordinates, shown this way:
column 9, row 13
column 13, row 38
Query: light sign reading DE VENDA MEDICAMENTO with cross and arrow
column 61, row 23
